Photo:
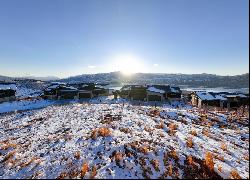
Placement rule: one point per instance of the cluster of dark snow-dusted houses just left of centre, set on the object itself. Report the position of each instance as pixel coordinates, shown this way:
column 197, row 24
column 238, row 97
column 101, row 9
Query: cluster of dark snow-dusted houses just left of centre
column 74, row 91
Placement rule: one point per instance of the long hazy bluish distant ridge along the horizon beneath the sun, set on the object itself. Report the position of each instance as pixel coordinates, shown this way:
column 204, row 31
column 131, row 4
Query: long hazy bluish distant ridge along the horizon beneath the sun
column 189, row 80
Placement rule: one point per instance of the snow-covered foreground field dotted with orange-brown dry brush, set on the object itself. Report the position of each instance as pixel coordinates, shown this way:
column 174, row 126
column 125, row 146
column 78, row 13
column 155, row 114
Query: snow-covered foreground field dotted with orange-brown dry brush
column 120, row 140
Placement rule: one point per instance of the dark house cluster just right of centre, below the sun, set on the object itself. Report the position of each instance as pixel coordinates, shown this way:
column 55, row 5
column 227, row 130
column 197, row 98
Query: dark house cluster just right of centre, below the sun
column 150, row 92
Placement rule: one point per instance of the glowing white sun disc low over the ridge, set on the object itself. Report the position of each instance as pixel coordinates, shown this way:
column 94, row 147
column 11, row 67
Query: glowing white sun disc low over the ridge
column 127, row 64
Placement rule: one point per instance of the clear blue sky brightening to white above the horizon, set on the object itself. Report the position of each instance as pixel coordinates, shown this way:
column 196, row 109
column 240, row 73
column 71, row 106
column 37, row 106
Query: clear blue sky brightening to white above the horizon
column 71, row 37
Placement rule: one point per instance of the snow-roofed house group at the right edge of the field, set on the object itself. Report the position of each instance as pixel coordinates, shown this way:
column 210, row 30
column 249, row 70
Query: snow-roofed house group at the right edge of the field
column 219, row 99
